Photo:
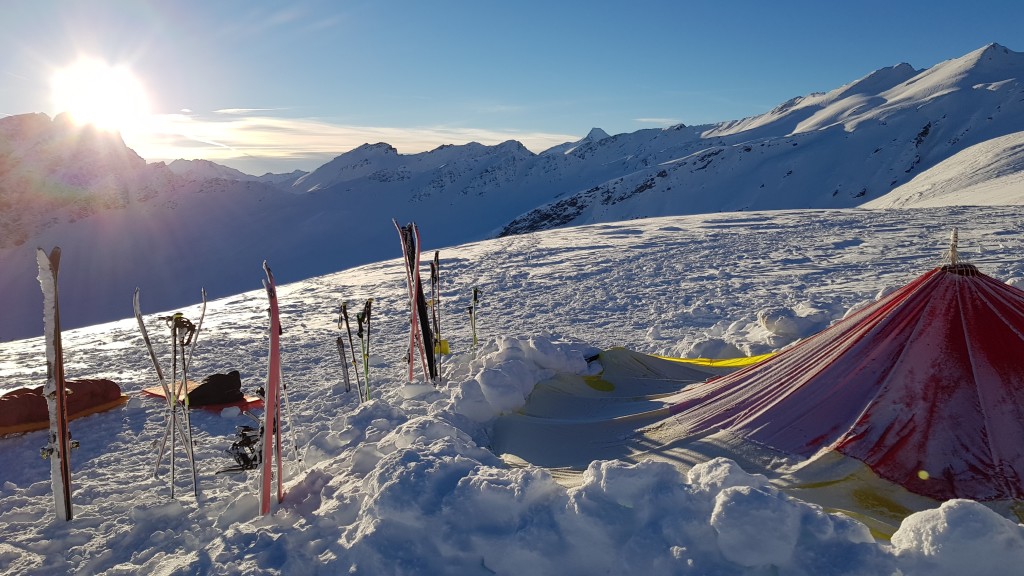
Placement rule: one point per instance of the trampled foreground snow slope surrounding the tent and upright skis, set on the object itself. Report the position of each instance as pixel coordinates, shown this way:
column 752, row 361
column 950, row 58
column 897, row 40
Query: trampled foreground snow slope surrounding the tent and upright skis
column 405, row 484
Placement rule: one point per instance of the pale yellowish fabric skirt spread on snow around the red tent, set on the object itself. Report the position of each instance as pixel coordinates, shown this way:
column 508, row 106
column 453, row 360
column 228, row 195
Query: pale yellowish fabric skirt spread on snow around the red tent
column 624, row 415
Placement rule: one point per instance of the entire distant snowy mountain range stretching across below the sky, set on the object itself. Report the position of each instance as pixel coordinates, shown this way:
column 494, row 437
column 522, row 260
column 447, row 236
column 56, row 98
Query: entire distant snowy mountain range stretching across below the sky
column 899, row 138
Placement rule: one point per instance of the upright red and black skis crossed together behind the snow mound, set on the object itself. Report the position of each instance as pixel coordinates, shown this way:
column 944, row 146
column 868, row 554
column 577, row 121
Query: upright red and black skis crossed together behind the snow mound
column 421, row 338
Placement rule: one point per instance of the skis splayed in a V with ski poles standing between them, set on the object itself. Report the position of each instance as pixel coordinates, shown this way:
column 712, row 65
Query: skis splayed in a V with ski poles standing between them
column 185, row 337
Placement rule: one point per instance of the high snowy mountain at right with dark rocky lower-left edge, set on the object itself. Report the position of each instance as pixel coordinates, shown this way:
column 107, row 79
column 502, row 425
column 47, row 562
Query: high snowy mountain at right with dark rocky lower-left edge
column 839, row 149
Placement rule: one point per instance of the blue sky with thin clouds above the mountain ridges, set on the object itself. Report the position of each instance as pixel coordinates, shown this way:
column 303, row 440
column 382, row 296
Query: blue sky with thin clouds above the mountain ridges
column 274, row 87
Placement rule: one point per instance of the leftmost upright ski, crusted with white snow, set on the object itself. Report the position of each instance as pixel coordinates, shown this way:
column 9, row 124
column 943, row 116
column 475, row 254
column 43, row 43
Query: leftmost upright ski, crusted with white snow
column 60, row 445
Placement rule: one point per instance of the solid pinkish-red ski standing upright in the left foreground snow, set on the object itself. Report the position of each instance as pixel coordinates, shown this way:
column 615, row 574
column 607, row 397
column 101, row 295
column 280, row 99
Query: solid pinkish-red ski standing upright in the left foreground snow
column 272, row 457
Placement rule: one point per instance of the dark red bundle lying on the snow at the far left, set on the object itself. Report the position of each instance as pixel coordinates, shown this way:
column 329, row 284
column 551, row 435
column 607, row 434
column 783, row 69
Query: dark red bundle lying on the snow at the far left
column 25, row 410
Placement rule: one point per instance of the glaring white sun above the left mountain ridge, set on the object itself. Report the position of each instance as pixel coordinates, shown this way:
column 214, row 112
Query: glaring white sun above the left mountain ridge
column 92, row 92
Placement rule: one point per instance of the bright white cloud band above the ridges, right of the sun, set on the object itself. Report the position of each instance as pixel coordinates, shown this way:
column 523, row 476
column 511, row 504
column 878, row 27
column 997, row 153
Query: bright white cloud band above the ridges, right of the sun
column 234, row 135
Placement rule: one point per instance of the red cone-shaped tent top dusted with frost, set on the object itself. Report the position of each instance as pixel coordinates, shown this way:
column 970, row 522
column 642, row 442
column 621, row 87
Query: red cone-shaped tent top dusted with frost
column 926, row 387
